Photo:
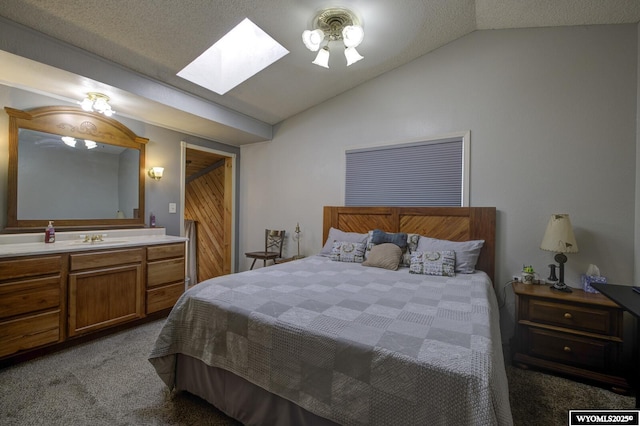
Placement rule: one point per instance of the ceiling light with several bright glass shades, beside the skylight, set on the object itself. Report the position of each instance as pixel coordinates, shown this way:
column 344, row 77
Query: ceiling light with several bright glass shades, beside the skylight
column 333, row 25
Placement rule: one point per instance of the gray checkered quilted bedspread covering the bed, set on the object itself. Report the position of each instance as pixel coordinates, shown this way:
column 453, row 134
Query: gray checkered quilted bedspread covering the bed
column 354, row 344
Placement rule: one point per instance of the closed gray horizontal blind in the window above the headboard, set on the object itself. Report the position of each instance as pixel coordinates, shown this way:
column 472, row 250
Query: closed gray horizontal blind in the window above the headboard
column 416, row 174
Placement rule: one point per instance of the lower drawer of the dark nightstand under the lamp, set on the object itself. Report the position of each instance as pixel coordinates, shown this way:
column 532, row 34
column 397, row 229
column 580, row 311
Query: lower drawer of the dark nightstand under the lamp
column 570, row 349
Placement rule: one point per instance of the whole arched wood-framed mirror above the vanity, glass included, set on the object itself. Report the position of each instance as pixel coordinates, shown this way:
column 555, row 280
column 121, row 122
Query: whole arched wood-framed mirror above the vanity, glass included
column 80, row 169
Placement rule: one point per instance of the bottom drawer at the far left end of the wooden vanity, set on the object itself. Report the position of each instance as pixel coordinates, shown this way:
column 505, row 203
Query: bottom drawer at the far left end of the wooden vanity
column 30, row 332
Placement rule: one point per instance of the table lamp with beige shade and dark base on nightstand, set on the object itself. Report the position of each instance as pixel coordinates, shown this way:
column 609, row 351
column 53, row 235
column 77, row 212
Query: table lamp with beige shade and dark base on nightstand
column 559, row 238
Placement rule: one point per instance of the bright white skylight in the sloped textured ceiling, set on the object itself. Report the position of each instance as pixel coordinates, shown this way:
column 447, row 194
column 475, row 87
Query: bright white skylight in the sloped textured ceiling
column 237, row 56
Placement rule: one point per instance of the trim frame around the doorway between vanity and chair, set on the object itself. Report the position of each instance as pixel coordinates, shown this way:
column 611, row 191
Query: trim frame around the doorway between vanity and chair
column 183, row 157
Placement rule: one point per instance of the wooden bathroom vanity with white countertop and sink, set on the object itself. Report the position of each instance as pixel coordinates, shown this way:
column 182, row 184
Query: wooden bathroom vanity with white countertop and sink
column 54, row 293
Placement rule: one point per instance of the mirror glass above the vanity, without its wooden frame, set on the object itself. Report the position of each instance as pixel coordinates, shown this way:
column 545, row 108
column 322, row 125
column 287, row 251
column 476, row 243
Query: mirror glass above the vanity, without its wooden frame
column 62, row 177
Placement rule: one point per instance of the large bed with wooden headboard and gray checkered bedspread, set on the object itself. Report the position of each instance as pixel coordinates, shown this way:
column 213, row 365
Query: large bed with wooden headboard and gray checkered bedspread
column 321, row 342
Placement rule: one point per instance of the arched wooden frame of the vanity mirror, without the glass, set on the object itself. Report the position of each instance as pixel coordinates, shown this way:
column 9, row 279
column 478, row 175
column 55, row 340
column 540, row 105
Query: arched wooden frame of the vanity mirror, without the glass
column 75, row 122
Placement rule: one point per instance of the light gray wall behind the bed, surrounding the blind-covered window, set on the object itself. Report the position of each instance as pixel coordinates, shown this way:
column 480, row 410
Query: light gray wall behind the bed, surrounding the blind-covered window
column 552, row 115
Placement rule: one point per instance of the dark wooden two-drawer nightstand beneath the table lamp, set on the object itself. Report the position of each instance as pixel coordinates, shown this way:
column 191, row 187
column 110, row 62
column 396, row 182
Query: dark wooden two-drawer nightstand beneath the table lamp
column 578, row 334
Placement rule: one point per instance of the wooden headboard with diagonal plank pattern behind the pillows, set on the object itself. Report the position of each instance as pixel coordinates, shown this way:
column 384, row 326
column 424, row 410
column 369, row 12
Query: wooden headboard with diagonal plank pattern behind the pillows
column 446, row 223
